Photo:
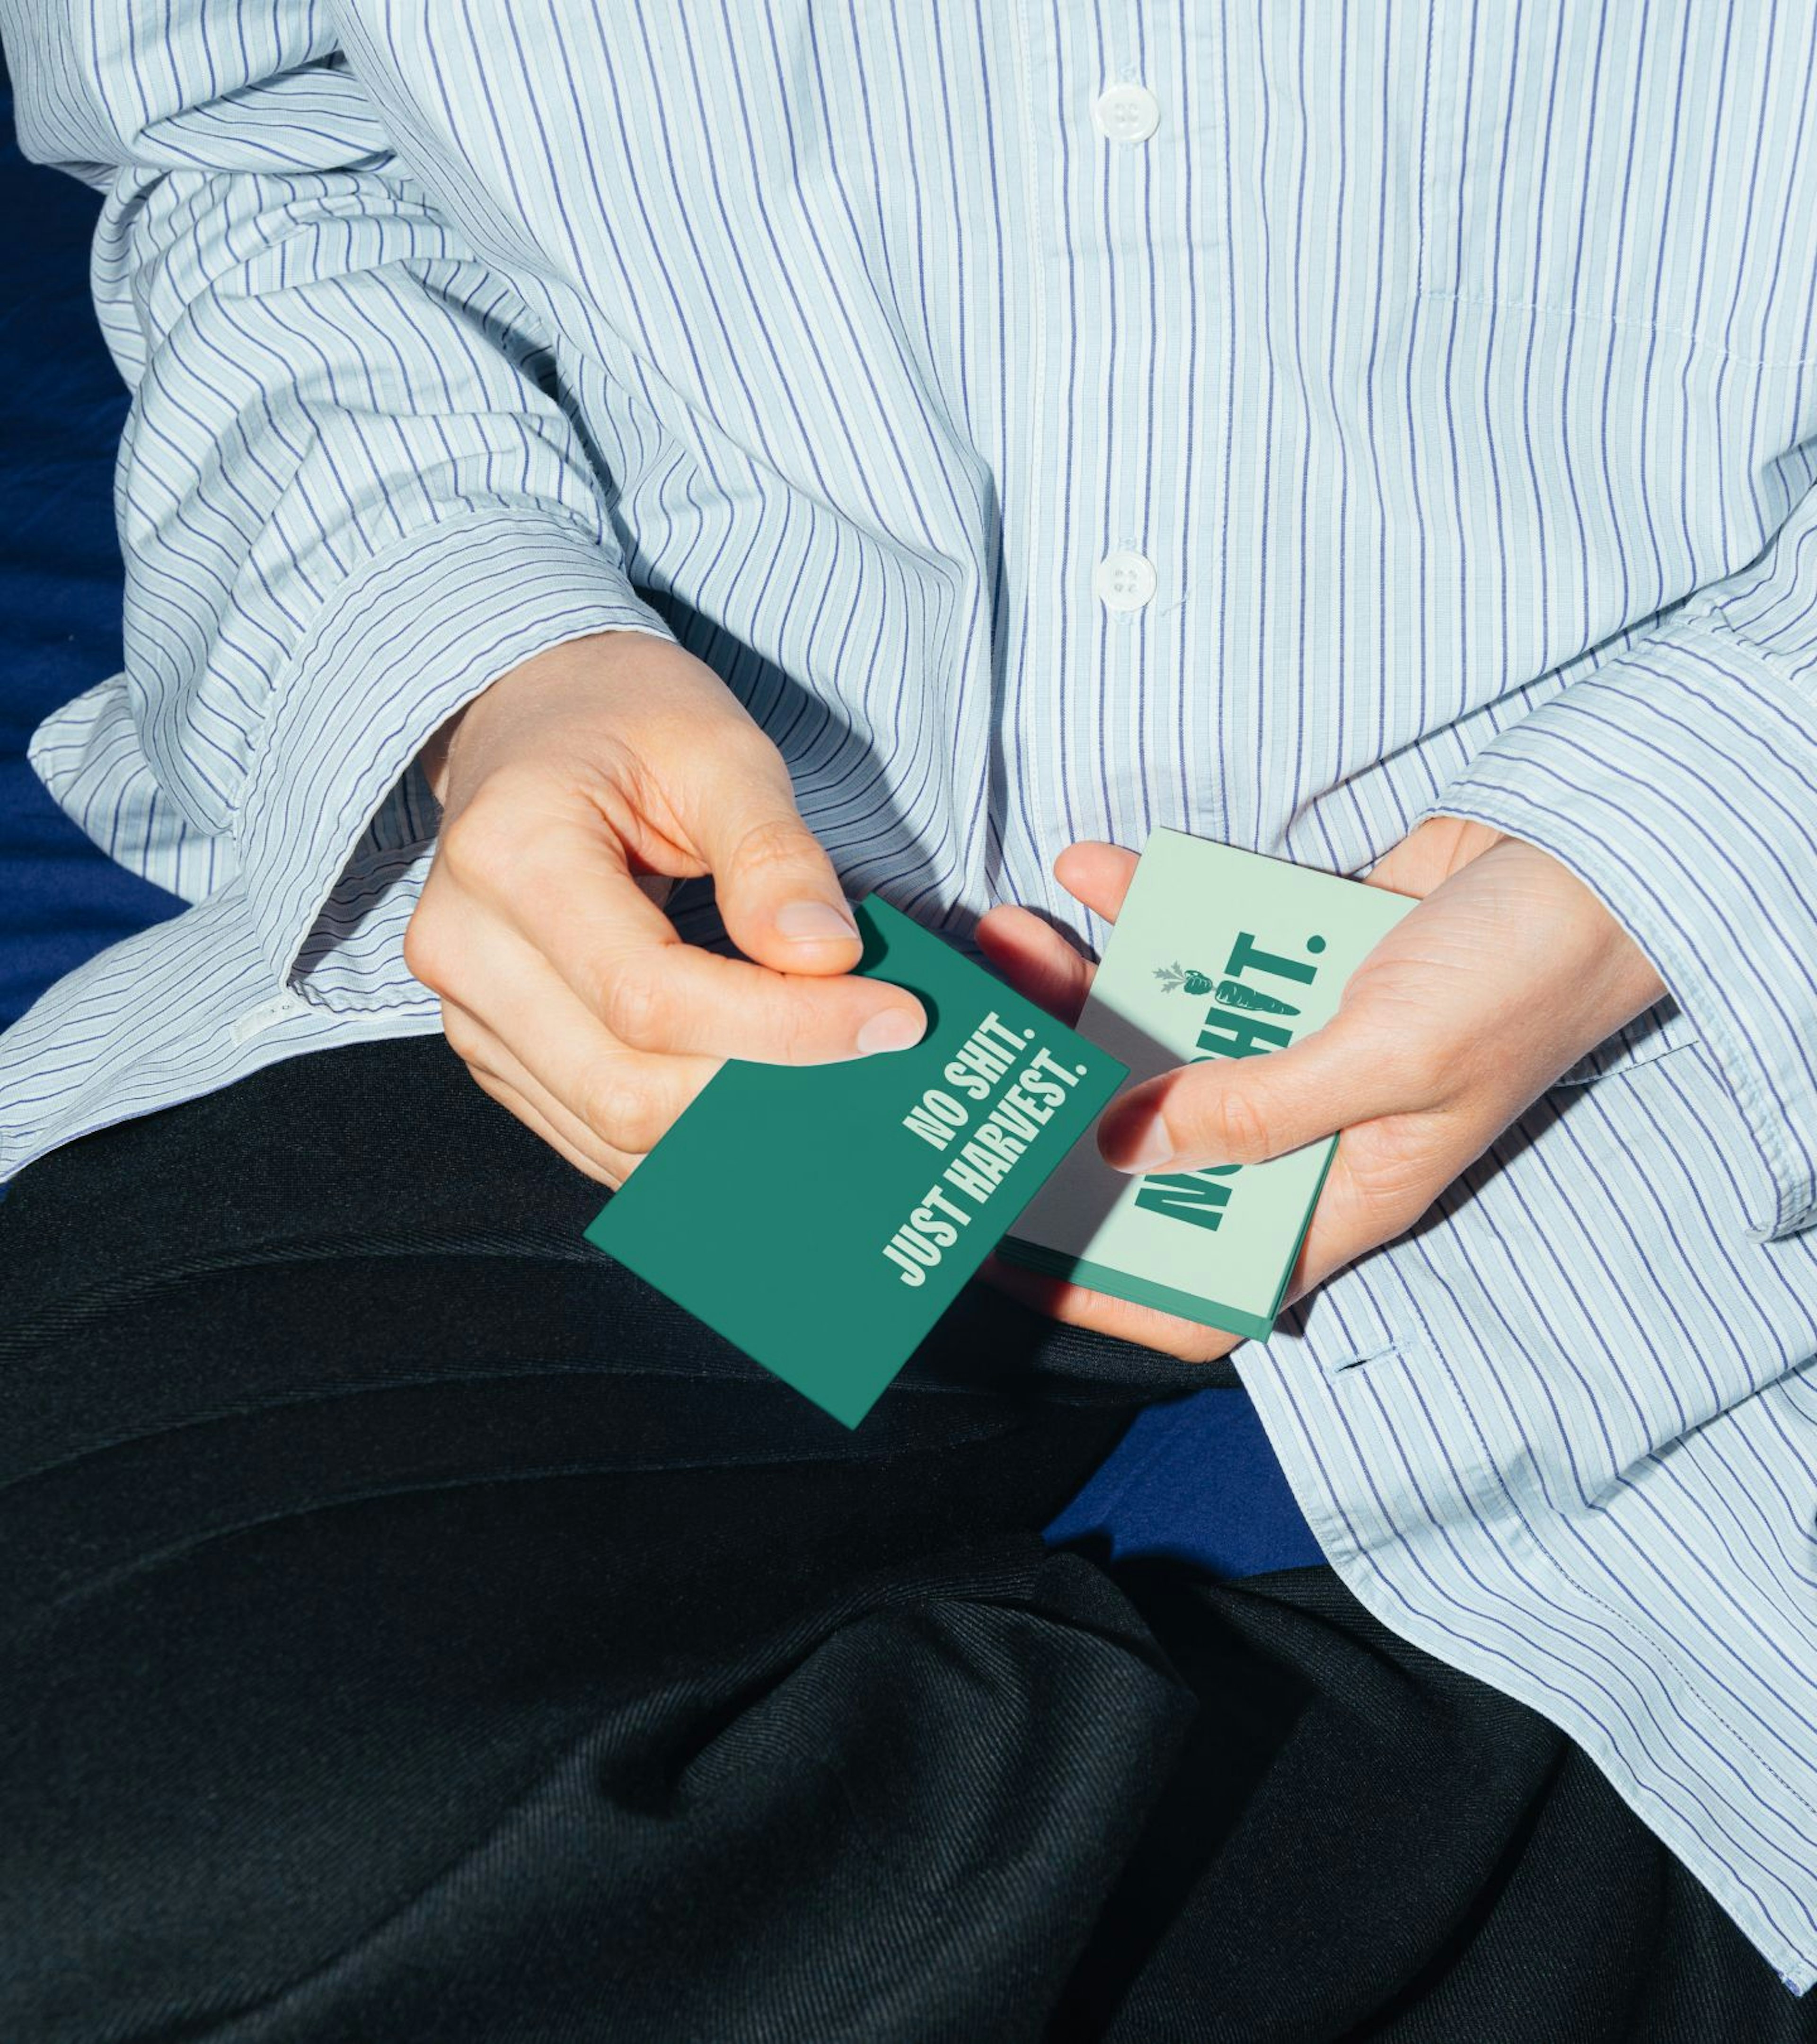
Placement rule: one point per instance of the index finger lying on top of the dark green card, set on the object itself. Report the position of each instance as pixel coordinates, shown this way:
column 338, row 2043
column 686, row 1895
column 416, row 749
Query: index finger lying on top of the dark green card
column 573, row 900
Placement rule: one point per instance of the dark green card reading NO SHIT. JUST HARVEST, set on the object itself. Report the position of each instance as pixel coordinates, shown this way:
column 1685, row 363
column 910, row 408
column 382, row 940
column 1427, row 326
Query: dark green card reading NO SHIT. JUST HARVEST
column 825, row 1217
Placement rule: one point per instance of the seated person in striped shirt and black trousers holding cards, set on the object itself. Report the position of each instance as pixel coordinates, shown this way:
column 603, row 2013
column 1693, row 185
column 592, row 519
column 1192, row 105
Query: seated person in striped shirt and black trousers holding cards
column 788, row 453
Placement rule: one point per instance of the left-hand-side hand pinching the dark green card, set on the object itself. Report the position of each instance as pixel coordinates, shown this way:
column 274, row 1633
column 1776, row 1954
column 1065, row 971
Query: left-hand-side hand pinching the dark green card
column 565, row 988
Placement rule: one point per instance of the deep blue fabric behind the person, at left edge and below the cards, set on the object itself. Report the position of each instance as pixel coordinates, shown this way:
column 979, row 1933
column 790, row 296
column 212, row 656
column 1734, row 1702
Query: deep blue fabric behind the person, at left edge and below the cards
column 1193, row 1479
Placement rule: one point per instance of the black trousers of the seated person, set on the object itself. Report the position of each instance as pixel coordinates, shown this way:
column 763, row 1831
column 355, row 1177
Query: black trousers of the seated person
column 412, row 1628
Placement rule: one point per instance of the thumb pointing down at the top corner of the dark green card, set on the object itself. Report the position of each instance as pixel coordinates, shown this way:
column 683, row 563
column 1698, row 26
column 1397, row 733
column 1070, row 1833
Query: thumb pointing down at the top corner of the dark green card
column 780, row 896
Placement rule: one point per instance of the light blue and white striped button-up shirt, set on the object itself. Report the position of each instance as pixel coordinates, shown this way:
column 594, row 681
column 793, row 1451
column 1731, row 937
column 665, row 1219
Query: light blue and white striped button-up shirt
column 1452, row 369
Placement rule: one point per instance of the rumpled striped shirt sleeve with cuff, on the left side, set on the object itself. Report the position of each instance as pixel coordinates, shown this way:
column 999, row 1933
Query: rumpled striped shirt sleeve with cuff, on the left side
column 348, row 492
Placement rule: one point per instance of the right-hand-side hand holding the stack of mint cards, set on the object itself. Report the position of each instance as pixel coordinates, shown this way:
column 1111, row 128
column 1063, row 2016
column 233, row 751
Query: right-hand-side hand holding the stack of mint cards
column 1501, row 980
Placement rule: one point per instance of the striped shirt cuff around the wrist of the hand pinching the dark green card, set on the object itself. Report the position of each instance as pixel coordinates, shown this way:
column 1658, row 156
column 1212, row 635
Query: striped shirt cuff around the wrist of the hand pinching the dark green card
column 410, row 639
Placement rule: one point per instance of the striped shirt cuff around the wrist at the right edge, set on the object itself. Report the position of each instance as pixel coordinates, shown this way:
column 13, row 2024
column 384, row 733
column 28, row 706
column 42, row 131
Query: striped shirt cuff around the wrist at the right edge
column 1677, row 784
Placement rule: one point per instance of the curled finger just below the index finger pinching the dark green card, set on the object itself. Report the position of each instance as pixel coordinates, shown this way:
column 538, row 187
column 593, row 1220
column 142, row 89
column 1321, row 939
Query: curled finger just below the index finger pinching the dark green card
column 545, row 1043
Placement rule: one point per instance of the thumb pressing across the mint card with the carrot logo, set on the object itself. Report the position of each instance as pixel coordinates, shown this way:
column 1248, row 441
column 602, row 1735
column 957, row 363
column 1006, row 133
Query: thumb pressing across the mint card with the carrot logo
column 1250, row 1109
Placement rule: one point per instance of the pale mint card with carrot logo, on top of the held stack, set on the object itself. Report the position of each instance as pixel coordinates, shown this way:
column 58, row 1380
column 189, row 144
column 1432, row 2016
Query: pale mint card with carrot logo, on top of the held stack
column 1217, row 954
